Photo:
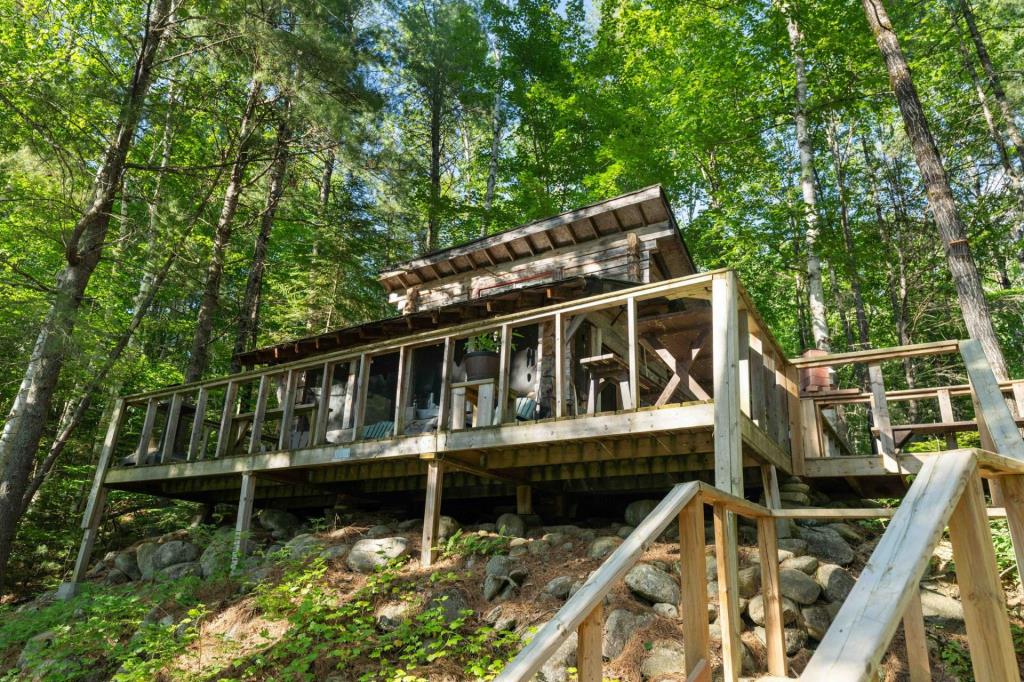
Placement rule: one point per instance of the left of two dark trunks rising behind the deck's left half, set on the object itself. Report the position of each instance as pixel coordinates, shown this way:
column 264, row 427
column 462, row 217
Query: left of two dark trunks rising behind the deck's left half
column 199, row 358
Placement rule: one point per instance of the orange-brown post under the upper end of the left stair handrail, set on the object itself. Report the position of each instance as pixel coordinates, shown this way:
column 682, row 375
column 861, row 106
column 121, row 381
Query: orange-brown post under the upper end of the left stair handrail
column 694, row 584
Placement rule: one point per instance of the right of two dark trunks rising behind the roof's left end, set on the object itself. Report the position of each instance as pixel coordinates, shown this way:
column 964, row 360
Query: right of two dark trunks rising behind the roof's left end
column 249, row 318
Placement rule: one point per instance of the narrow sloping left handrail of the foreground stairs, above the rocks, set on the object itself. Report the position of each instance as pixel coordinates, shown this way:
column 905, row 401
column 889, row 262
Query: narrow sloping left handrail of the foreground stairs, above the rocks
column 532, row 658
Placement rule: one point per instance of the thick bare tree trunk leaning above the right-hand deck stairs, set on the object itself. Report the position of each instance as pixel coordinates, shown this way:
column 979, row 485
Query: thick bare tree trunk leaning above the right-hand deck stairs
column 962, row 267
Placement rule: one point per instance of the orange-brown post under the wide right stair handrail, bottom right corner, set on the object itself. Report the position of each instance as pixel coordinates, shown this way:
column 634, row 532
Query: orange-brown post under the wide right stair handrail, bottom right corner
column 985, row 605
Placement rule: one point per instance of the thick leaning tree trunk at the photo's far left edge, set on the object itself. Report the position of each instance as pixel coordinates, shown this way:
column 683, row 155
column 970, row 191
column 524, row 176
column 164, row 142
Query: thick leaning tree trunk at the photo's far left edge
column 27, row 419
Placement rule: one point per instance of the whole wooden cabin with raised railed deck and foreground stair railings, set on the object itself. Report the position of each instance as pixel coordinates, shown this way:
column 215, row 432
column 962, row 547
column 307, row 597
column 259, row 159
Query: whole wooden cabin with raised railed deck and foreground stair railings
column 566, row 363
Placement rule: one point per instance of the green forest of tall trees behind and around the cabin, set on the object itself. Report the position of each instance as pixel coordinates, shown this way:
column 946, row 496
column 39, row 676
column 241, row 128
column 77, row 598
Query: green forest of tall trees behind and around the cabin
column 184, row 180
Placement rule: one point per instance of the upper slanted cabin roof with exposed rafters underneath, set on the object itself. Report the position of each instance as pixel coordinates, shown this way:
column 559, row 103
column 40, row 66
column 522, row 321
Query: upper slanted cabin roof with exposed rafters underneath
column 629, row 211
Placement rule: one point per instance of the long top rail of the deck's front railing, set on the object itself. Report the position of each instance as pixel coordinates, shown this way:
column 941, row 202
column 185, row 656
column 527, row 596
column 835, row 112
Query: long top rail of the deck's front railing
column 690, row 286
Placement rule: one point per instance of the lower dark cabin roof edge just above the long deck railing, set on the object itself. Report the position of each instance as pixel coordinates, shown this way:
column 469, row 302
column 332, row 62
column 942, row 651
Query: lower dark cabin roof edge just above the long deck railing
column 455, row 314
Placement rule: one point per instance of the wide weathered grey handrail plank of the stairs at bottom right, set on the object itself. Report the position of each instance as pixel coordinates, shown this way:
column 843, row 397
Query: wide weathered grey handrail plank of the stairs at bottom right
column 862, row 631
